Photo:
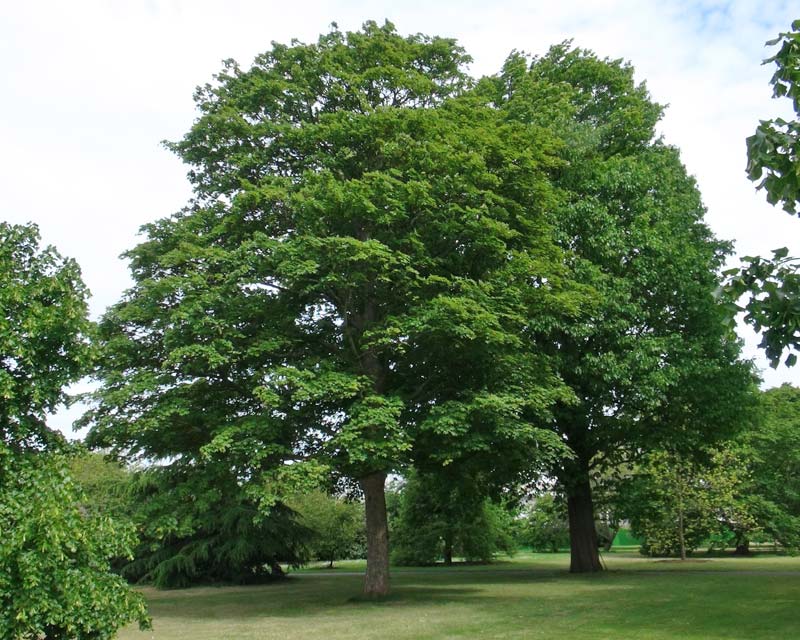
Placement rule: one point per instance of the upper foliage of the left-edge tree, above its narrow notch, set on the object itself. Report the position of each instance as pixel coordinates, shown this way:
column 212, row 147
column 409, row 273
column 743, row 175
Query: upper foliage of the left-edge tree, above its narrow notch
column 43, row 334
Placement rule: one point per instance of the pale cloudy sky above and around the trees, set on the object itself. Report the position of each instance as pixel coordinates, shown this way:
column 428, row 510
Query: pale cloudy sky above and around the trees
column 89, row 88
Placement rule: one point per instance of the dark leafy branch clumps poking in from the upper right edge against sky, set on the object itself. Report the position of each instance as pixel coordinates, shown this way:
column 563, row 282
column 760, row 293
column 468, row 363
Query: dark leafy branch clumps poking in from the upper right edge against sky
column 771, row 286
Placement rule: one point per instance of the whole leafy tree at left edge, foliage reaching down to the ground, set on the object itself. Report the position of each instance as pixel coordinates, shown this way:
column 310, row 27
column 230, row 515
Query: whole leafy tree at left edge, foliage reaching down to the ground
column 55, row 578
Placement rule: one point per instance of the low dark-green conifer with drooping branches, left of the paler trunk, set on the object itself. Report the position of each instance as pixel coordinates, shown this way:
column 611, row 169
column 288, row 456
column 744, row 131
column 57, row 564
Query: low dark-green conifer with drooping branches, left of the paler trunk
column 197, row 526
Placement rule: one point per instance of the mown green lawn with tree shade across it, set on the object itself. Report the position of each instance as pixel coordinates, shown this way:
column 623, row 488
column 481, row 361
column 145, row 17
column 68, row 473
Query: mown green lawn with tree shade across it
column 529, row 596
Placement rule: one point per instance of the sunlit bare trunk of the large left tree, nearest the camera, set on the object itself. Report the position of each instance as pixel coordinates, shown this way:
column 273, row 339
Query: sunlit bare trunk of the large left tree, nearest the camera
column 376, row 582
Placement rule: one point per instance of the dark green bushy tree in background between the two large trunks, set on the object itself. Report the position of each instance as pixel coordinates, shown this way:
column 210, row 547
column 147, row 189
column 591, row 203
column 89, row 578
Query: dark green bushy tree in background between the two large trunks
column 441, row 517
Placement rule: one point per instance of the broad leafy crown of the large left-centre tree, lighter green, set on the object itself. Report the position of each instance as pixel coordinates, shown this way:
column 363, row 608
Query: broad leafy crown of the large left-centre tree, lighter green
column 353, row 283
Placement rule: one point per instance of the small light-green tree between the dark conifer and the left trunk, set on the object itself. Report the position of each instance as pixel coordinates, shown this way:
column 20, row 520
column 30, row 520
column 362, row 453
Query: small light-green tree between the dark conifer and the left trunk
column 336, row 526
